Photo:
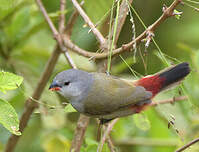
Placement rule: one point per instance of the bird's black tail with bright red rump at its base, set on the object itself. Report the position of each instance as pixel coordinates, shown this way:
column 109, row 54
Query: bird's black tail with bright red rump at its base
column 165, row 79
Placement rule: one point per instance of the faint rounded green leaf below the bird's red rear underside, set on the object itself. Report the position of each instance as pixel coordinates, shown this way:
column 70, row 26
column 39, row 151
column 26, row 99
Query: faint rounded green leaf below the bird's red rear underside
column 141, row 121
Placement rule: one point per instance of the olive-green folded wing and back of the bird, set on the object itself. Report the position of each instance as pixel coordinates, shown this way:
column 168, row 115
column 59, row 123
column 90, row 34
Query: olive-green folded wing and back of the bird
column 109, row 93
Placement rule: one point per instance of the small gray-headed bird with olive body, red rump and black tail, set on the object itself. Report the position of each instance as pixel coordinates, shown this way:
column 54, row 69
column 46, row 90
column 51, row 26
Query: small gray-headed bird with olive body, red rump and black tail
column 107, row 97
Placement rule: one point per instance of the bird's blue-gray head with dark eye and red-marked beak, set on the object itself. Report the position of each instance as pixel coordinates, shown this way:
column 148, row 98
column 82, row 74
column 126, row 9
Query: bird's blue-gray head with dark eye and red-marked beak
column 72, row 84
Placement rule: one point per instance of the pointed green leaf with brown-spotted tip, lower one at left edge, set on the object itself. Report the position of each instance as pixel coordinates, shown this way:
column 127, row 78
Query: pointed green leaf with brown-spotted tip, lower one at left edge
column 9, row 118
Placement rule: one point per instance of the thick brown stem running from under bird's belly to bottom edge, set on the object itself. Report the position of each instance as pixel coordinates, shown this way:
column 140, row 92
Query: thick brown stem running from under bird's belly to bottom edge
column 79, row 133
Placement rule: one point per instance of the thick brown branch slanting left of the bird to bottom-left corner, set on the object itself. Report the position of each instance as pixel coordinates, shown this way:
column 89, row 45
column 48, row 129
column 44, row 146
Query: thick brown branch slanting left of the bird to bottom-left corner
column 30, row 105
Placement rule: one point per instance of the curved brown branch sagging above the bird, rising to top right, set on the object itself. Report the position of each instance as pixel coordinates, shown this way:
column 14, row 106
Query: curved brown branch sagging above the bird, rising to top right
column 168, row 12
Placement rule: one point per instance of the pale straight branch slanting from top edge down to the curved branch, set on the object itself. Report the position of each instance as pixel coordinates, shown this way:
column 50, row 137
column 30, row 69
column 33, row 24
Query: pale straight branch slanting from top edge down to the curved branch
column 95, row 31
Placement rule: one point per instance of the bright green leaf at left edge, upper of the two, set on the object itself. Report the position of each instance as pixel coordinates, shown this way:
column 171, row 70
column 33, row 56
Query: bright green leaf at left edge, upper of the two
column 9, row 81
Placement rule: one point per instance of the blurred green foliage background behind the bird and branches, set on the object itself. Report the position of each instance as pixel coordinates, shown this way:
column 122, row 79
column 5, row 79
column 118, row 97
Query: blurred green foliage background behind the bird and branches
column 26, row 43
